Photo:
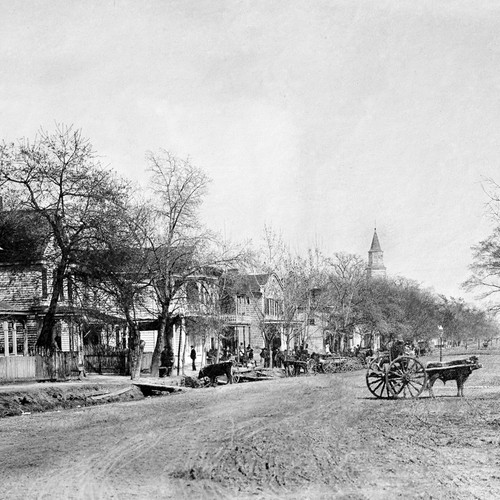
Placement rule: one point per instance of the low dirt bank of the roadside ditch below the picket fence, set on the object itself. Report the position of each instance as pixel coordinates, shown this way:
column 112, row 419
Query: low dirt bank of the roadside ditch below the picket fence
column 50, row 398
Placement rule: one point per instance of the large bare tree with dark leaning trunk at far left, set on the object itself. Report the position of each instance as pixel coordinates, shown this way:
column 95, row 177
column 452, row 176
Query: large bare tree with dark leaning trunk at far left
column 58, row 176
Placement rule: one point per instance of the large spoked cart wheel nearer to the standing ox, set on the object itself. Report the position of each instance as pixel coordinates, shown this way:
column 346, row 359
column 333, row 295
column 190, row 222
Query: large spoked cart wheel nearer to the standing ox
column 406, row 377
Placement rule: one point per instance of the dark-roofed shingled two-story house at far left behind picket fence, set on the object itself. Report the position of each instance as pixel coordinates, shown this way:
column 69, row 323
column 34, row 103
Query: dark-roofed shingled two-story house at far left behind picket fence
column 27, row 257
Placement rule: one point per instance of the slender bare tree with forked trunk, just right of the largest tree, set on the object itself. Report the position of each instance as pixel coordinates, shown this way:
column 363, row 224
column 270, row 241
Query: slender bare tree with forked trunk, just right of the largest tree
column 181, row 249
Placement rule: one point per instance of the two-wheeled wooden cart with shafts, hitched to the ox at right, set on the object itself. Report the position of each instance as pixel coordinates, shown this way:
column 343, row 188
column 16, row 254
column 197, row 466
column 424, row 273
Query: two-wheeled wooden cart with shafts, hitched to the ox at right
column 405, row 376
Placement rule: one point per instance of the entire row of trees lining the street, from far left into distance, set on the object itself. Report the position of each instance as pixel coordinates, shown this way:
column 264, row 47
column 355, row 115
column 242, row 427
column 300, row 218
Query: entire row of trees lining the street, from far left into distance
column 131, row 248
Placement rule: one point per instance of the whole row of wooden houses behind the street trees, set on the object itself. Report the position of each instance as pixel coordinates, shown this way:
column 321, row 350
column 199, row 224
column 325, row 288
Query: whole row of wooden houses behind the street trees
column 251, row 305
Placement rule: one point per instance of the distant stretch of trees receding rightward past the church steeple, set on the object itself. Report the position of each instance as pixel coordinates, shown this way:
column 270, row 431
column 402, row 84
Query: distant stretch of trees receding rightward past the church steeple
column 336, row 290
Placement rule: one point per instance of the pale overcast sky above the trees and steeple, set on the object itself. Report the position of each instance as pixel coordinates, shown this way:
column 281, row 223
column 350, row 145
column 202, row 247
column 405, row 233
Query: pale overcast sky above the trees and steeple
column 315, row 117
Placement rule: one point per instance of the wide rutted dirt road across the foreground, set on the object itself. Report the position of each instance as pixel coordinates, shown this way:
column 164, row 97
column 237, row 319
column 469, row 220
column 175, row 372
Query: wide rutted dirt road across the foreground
column 308, row 437
